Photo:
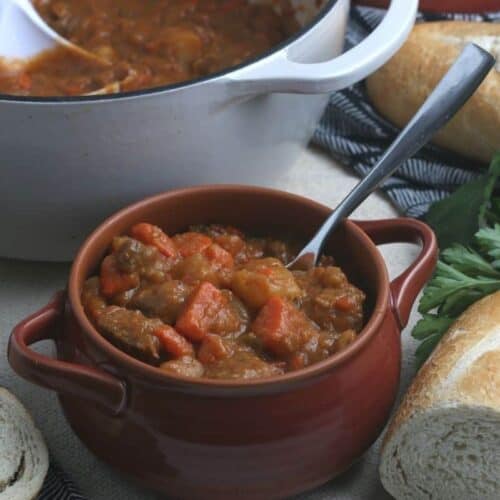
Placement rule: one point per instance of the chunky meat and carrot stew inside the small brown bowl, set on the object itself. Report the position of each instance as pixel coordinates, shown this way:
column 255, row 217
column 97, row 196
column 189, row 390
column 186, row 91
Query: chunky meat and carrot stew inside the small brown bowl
column 213, row 302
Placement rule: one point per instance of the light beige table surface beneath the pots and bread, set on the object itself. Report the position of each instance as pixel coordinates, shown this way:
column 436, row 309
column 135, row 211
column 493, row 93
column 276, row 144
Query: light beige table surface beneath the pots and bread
column 25, row 286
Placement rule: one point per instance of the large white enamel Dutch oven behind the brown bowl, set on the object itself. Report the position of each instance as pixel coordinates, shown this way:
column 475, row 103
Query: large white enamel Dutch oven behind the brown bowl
column 68, row 162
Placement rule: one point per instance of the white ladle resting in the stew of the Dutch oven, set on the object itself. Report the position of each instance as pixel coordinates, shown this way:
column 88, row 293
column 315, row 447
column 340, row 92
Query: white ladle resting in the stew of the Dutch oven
column 24, row 34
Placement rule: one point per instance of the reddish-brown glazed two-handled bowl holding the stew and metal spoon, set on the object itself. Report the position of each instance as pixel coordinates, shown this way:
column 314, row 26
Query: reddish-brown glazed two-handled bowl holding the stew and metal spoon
column 201, row 438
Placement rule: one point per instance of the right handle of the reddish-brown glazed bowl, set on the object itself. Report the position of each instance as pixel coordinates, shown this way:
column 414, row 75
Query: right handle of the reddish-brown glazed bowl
column 405, row 288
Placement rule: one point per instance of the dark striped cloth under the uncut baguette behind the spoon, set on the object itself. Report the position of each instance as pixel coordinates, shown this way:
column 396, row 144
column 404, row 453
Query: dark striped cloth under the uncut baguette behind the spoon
column 356, row 135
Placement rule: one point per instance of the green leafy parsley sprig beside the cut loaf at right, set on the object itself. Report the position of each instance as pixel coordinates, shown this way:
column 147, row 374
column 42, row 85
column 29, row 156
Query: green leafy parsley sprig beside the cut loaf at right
column 468, row 224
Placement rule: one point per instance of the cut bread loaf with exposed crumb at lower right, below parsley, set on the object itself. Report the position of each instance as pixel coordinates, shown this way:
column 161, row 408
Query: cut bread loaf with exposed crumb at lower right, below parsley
column 444, row 441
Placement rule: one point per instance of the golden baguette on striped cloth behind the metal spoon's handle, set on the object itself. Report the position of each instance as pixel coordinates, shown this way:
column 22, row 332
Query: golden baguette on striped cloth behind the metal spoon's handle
column 400, row 87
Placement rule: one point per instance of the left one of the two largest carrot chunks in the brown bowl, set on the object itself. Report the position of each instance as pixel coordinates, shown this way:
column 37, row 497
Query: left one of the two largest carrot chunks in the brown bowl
column 200, row 311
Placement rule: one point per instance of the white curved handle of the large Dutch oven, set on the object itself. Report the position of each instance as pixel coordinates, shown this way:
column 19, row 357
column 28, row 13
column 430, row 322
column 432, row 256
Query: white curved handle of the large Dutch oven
column 280, row 73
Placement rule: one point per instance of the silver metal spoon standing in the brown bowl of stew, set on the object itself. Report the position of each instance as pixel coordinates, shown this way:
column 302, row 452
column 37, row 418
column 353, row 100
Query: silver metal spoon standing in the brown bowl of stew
column 458, row 84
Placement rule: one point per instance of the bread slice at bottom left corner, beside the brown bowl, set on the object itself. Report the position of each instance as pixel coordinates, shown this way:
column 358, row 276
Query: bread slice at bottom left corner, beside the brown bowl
column 24, row 459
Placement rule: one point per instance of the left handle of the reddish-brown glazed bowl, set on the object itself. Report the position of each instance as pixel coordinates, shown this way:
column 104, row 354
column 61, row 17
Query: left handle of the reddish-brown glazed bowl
column 86, row 382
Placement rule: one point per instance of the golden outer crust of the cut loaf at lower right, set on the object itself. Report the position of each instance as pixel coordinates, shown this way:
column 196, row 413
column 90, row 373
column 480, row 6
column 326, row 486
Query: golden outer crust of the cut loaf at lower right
column 441, row 380
